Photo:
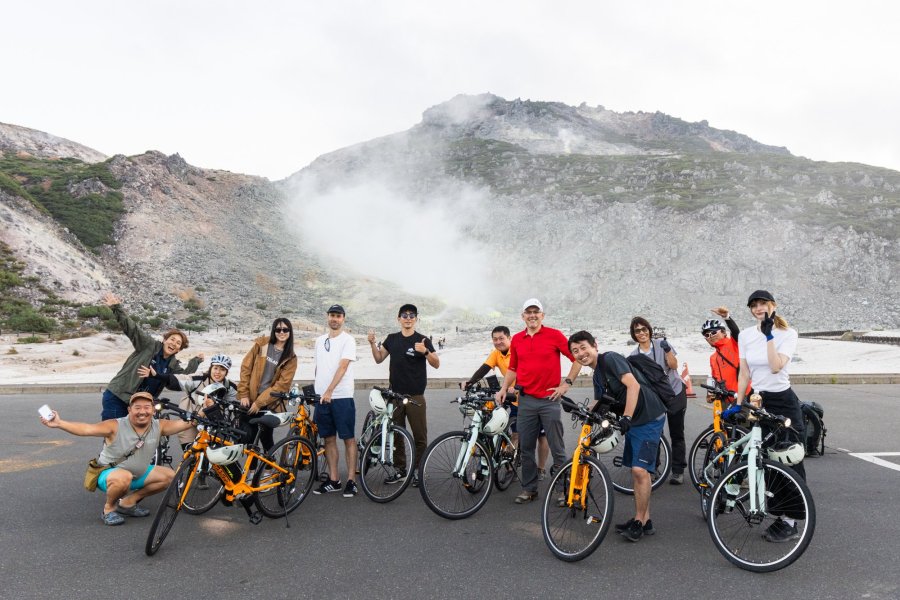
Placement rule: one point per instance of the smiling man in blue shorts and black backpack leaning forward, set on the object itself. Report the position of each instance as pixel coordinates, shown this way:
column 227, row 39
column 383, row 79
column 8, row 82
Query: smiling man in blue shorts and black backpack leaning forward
column 641, row 422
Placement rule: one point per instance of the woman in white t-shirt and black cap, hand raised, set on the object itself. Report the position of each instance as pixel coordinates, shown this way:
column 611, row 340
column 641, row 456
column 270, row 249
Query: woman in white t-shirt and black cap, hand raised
column 766, row 352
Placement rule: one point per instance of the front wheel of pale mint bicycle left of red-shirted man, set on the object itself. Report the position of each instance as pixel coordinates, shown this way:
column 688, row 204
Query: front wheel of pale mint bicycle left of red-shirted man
column 447, row 493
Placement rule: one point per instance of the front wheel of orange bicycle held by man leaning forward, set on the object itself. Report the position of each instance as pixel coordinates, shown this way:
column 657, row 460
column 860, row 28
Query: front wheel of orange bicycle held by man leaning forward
column 574, row 532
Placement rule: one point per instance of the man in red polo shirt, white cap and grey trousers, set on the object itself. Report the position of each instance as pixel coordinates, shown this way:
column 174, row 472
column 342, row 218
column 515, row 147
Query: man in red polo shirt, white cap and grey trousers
column 534, row 365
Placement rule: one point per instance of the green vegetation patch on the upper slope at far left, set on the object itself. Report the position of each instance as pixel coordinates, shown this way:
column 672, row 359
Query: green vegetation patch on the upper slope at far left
column 48, row 184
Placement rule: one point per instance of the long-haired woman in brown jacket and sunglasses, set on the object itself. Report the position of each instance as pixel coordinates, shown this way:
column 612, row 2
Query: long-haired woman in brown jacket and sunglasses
column 268, row 367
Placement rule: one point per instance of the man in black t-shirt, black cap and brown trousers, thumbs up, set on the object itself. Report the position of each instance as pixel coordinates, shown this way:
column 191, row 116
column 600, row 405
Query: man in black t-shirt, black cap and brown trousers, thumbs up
column 409, row 352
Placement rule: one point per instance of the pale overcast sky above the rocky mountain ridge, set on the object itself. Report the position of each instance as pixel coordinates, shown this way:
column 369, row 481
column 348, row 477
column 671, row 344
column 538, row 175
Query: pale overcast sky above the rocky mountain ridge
column 265, row 88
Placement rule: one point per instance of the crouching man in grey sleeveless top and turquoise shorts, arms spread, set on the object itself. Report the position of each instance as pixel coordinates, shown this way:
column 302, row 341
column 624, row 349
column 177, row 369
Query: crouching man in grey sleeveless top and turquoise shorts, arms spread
column 129, row 443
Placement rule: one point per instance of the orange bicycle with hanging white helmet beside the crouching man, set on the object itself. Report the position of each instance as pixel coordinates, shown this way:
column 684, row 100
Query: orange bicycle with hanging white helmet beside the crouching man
column 281, row 478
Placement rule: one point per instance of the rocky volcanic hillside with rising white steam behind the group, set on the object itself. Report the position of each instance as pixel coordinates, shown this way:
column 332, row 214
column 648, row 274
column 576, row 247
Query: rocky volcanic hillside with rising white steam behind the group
column 602, row 215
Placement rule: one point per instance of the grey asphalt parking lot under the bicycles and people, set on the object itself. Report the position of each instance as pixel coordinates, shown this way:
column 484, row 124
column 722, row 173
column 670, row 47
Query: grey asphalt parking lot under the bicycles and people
column 54, row 545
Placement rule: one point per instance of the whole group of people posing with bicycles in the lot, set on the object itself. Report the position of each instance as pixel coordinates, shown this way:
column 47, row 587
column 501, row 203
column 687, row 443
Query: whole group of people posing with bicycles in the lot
column 529, row 362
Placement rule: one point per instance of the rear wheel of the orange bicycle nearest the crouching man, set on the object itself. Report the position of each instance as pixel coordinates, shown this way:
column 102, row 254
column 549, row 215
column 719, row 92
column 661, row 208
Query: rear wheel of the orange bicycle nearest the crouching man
column 296, row 455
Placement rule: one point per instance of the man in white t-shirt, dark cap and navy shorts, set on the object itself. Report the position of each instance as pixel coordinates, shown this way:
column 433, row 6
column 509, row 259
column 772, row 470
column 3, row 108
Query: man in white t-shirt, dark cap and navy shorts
column 336, row 413
